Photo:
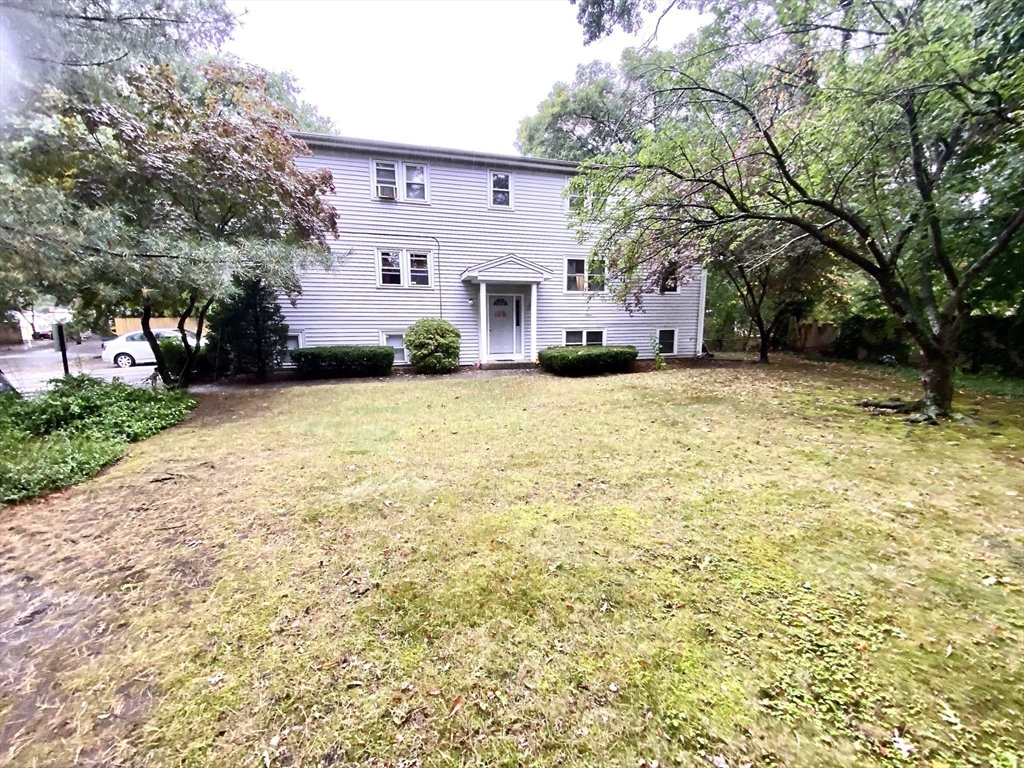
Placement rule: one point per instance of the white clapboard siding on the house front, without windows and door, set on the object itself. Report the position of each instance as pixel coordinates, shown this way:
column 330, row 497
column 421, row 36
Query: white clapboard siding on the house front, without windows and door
column 346, row 306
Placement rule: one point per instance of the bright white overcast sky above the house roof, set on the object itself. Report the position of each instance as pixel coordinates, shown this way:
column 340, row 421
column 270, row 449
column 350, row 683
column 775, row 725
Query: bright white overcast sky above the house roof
column 446, row 73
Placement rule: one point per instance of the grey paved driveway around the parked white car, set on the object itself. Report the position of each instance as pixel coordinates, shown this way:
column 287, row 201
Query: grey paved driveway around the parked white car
column 30, row 367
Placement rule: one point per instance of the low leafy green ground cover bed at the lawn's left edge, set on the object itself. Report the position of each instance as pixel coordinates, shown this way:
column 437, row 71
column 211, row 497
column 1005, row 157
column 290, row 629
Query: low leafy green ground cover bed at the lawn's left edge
column 68, row 435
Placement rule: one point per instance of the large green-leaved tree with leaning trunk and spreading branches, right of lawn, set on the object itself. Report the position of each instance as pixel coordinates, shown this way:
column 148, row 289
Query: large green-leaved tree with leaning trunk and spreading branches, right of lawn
column 889, row 134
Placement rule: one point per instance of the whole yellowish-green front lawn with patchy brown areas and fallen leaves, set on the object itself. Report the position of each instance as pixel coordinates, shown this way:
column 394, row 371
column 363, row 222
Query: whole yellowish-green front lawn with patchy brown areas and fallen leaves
column 729, row 564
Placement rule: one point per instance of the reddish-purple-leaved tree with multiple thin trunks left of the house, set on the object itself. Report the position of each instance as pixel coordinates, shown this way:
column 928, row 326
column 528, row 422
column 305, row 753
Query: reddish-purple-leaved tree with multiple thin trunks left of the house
column 156, row 198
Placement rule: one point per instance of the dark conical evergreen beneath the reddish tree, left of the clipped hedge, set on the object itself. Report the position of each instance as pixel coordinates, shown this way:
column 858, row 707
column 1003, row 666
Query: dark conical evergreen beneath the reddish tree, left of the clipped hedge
column 250, row 329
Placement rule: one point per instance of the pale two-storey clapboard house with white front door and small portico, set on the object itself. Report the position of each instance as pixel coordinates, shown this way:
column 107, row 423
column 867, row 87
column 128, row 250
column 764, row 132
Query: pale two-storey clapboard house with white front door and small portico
column 480, row 240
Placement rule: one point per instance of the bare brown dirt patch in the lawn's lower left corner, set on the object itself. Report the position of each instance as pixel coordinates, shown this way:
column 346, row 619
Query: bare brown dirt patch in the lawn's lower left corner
column 78, row 567
